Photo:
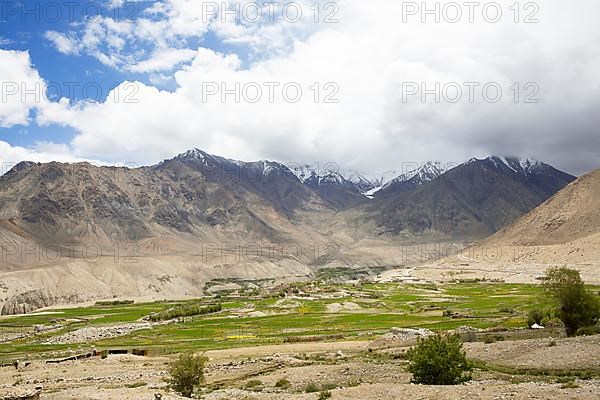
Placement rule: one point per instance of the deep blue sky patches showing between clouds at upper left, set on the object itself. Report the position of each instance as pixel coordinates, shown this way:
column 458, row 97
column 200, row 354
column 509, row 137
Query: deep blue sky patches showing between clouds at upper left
column 81, row 77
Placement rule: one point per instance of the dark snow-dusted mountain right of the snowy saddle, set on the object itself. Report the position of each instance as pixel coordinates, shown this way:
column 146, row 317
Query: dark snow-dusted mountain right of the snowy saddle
column 470, row 201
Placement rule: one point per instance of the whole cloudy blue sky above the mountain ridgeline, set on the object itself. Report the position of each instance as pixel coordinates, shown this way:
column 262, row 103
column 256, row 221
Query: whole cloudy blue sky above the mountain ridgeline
column 365, row 85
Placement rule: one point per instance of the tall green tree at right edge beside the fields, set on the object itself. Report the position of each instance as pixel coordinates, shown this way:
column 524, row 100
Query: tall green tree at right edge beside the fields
column 577, row 307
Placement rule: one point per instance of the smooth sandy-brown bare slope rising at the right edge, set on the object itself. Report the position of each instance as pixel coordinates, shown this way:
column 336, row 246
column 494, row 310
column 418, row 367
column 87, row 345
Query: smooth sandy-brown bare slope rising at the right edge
column 564, row 230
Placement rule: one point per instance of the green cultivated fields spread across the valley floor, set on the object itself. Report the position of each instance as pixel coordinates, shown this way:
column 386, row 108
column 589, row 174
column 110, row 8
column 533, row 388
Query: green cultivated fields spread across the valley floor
column 306, row 313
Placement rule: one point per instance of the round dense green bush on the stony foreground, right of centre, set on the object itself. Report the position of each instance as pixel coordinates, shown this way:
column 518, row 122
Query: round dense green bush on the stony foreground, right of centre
column 439, row 360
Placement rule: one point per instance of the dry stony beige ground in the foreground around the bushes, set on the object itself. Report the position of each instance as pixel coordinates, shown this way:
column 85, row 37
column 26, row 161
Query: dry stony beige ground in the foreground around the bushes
column 522, row 369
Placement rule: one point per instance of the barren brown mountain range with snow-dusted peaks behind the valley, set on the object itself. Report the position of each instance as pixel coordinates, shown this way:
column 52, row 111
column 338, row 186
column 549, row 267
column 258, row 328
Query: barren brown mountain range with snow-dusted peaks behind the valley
column 76, row 229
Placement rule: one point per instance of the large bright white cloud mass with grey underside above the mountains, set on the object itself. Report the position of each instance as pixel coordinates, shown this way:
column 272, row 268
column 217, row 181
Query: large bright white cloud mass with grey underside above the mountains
column 370, row 55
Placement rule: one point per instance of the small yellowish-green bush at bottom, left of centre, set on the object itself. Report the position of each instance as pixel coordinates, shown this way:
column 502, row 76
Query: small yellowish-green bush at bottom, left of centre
column 186, row 374
